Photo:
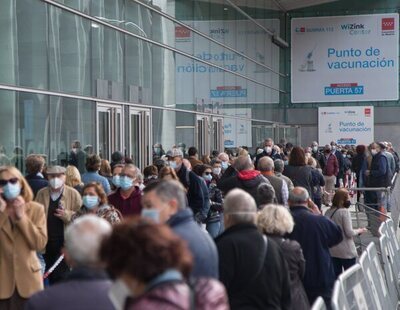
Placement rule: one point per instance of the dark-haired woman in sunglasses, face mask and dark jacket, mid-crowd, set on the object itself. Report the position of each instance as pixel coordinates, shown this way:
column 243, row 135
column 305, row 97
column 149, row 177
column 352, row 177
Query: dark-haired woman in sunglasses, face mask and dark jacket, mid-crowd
column 213, row 221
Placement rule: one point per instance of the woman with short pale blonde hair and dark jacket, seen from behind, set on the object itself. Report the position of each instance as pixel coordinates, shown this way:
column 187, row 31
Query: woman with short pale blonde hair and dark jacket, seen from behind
column 275, row 222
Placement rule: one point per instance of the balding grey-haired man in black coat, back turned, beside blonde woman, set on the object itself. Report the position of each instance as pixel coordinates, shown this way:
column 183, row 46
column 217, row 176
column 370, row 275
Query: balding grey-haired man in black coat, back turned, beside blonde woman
column 252, row 267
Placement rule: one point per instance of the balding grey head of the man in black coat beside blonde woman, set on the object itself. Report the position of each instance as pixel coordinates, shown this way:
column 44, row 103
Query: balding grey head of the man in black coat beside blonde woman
column 239, row 208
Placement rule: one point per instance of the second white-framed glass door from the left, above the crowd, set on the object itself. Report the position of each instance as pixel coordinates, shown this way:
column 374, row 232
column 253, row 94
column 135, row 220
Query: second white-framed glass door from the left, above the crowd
column 140, row 137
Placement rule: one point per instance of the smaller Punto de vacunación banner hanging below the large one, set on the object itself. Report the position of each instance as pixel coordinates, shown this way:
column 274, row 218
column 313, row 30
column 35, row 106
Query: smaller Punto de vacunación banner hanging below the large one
column 346, row 125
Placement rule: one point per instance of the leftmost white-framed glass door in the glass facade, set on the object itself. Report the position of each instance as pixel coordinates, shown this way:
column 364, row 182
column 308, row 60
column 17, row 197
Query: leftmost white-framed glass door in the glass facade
column 109, row 130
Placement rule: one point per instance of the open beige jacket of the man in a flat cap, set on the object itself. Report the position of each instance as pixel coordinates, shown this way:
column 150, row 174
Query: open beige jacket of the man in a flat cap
column 71, row 200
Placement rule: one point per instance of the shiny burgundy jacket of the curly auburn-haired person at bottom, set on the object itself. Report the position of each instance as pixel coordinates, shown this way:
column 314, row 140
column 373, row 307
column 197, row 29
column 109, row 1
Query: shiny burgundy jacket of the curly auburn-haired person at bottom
column 209, row 295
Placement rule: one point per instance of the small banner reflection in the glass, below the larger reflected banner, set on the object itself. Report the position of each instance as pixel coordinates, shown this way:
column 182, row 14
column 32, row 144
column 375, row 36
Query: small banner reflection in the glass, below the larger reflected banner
column 237, row 132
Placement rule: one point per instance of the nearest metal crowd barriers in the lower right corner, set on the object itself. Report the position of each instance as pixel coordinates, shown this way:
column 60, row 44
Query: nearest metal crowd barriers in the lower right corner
column 367, row 285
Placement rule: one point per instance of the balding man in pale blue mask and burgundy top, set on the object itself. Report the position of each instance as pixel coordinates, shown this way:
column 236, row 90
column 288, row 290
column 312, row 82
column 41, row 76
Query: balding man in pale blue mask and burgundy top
column 127, row 198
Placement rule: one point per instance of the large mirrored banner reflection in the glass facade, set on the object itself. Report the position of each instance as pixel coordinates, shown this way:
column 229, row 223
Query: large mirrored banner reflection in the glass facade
column 197, row 81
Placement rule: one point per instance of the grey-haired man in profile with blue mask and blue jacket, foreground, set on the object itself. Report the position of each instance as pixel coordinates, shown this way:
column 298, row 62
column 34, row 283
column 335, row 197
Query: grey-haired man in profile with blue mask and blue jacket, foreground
column 165, row 202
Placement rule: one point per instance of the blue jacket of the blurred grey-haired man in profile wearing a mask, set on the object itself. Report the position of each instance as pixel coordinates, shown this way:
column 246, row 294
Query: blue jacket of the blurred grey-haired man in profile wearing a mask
column 200, row 243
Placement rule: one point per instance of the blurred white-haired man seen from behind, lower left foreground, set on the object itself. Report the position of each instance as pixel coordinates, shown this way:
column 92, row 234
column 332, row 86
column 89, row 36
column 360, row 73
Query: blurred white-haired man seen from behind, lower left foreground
column 86, row 287
